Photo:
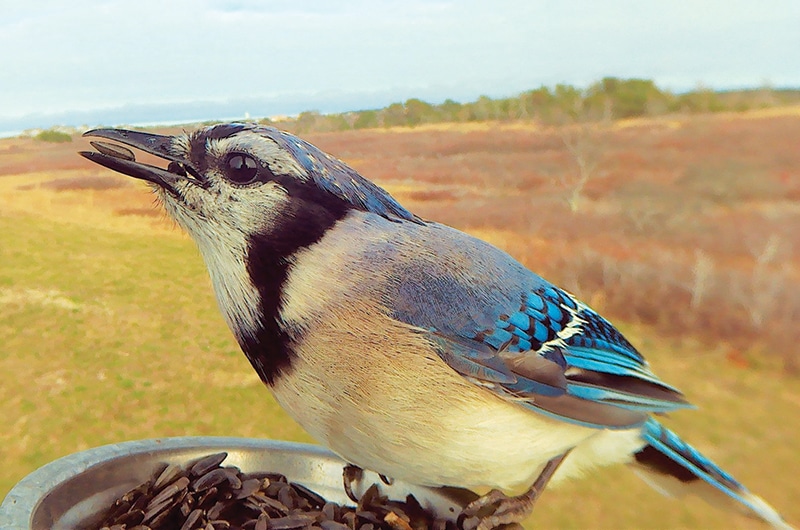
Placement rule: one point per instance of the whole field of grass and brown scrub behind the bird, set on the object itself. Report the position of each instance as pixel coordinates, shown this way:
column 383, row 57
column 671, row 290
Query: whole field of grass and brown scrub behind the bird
column 685, row 231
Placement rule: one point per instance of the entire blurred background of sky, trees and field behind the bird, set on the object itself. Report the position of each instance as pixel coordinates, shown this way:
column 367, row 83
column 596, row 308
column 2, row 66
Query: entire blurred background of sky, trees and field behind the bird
column 645, row 156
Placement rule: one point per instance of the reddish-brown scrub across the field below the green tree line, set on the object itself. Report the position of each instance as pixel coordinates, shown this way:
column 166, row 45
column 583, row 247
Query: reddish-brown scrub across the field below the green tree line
column 689, row 224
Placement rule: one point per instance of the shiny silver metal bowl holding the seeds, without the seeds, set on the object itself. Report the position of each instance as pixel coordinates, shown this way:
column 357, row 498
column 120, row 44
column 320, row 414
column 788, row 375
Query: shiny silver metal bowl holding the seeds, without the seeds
column 74, row 491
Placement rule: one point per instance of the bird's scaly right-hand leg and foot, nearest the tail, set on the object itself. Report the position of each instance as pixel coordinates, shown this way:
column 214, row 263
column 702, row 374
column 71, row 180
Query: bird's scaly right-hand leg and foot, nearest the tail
column 503, row 510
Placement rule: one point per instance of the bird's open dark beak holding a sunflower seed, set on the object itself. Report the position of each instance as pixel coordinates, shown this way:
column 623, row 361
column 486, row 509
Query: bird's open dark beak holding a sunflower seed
column 123, row 160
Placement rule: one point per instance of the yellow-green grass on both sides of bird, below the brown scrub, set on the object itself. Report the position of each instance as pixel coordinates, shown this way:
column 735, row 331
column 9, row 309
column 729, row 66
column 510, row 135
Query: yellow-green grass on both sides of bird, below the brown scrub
column 110, row 336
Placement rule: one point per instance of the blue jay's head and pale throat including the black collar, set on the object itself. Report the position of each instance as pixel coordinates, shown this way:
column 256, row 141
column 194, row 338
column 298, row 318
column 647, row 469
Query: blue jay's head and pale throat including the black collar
column 250, row 197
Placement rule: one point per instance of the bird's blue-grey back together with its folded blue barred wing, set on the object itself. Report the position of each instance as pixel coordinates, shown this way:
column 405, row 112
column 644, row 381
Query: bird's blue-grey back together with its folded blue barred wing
column 508, row 330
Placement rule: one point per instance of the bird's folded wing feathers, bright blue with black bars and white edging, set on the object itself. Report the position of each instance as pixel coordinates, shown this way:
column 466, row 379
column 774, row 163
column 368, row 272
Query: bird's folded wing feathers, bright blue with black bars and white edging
column 557, row 356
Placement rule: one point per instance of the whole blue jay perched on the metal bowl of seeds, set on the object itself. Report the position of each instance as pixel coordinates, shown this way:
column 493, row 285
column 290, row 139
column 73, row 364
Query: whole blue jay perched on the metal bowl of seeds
column 407, row 347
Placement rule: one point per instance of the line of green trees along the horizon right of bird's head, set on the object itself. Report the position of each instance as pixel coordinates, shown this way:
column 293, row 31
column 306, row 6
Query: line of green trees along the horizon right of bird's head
column 610, row 98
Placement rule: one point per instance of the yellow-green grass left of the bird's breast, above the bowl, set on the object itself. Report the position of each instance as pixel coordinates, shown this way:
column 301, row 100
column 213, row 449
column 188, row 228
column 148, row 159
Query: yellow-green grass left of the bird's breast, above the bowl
column 110, row 337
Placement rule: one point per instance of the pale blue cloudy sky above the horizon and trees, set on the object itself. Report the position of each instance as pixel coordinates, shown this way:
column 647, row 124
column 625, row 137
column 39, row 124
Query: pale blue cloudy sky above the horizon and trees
column 162, row 60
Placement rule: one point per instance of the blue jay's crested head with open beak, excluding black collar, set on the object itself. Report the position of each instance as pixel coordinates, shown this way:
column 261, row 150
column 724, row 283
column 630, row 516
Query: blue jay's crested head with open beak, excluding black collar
column 241, row 178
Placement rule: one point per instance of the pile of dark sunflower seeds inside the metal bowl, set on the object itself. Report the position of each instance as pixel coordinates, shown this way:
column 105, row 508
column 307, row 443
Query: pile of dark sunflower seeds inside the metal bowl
column 208, row 496
